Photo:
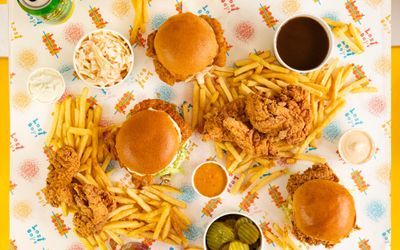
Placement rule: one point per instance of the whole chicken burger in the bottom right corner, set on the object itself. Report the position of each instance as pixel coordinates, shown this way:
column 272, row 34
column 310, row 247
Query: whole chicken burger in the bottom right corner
column 321, row 210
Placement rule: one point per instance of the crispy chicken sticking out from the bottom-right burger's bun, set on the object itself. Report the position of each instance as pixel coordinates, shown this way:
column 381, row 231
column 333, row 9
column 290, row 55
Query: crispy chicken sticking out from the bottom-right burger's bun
column 318, row 171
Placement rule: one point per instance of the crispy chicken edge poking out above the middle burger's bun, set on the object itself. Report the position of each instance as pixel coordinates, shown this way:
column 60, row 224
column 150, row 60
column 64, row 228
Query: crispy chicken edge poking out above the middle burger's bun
column 169, row 109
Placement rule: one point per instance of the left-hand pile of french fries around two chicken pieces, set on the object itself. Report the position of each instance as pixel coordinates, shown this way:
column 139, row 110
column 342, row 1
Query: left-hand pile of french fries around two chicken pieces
column 141, row 213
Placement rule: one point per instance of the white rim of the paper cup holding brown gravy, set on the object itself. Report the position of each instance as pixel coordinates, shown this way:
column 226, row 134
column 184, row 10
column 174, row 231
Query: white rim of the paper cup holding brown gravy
column 327, row 30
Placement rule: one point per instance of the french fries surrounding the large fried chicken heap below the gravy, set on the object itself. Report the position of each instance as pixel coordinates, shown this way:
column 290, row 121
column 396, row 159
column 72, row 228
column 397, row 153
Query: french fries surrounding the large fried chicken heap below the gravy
column 260, row 73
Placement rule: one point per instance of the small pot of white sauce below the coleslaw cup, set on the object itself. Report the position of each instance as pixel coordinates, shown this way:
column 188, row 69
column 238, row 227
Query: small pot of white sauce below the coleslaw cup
column 46, row 85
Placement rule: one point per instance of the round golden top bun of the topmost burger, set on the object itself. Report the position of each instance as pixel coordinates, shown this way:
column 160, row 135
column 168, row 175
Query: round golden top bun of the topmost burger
column 185, row 44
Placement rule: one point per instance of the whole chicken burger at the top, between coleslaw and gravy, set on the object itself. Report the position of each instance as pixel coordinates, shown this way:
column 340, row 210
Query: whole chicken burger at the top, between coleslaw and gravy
column 185, row 45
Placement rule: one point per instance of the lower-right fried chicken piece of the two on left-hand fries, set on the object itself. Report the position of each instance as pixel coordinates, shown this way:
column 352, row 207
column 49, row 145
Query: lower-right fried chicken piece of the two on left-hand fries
column 93, row 206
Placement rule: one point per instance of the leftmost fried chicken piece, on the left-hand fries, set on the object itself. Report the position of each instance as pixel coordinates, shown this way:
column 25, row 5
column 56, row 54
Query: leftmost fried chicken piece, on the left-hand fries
column 63, row 167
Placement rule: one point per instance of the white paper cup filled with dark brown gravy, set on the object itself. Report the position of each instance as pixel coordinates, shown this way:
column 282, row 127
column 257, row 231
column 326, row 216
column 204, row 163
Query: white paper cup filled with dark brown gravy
column 303, row 43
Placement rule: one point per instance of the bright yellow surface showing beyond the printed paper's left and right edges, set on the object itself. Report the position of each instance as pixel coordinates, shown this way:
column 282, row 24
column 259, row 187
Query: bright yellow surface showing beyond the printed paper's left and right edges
column 4, row 151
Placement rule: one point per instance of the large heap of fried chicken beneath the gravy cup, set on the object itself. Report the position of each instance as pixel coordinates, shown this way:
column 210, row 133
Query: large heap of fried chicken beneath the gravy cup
column 257, row 123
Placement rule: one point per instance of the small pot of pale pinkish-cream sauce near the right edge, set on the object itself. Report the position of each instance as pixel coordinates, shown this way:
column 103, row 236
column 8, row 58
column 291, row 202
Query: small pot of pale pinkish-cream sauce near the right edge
column 356, row 146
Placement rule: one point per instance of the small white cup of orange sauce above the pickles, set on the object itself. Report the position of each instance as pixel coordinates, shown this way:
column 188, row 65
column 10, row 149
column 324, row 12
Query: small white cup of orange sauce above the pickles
column 210, row 178
